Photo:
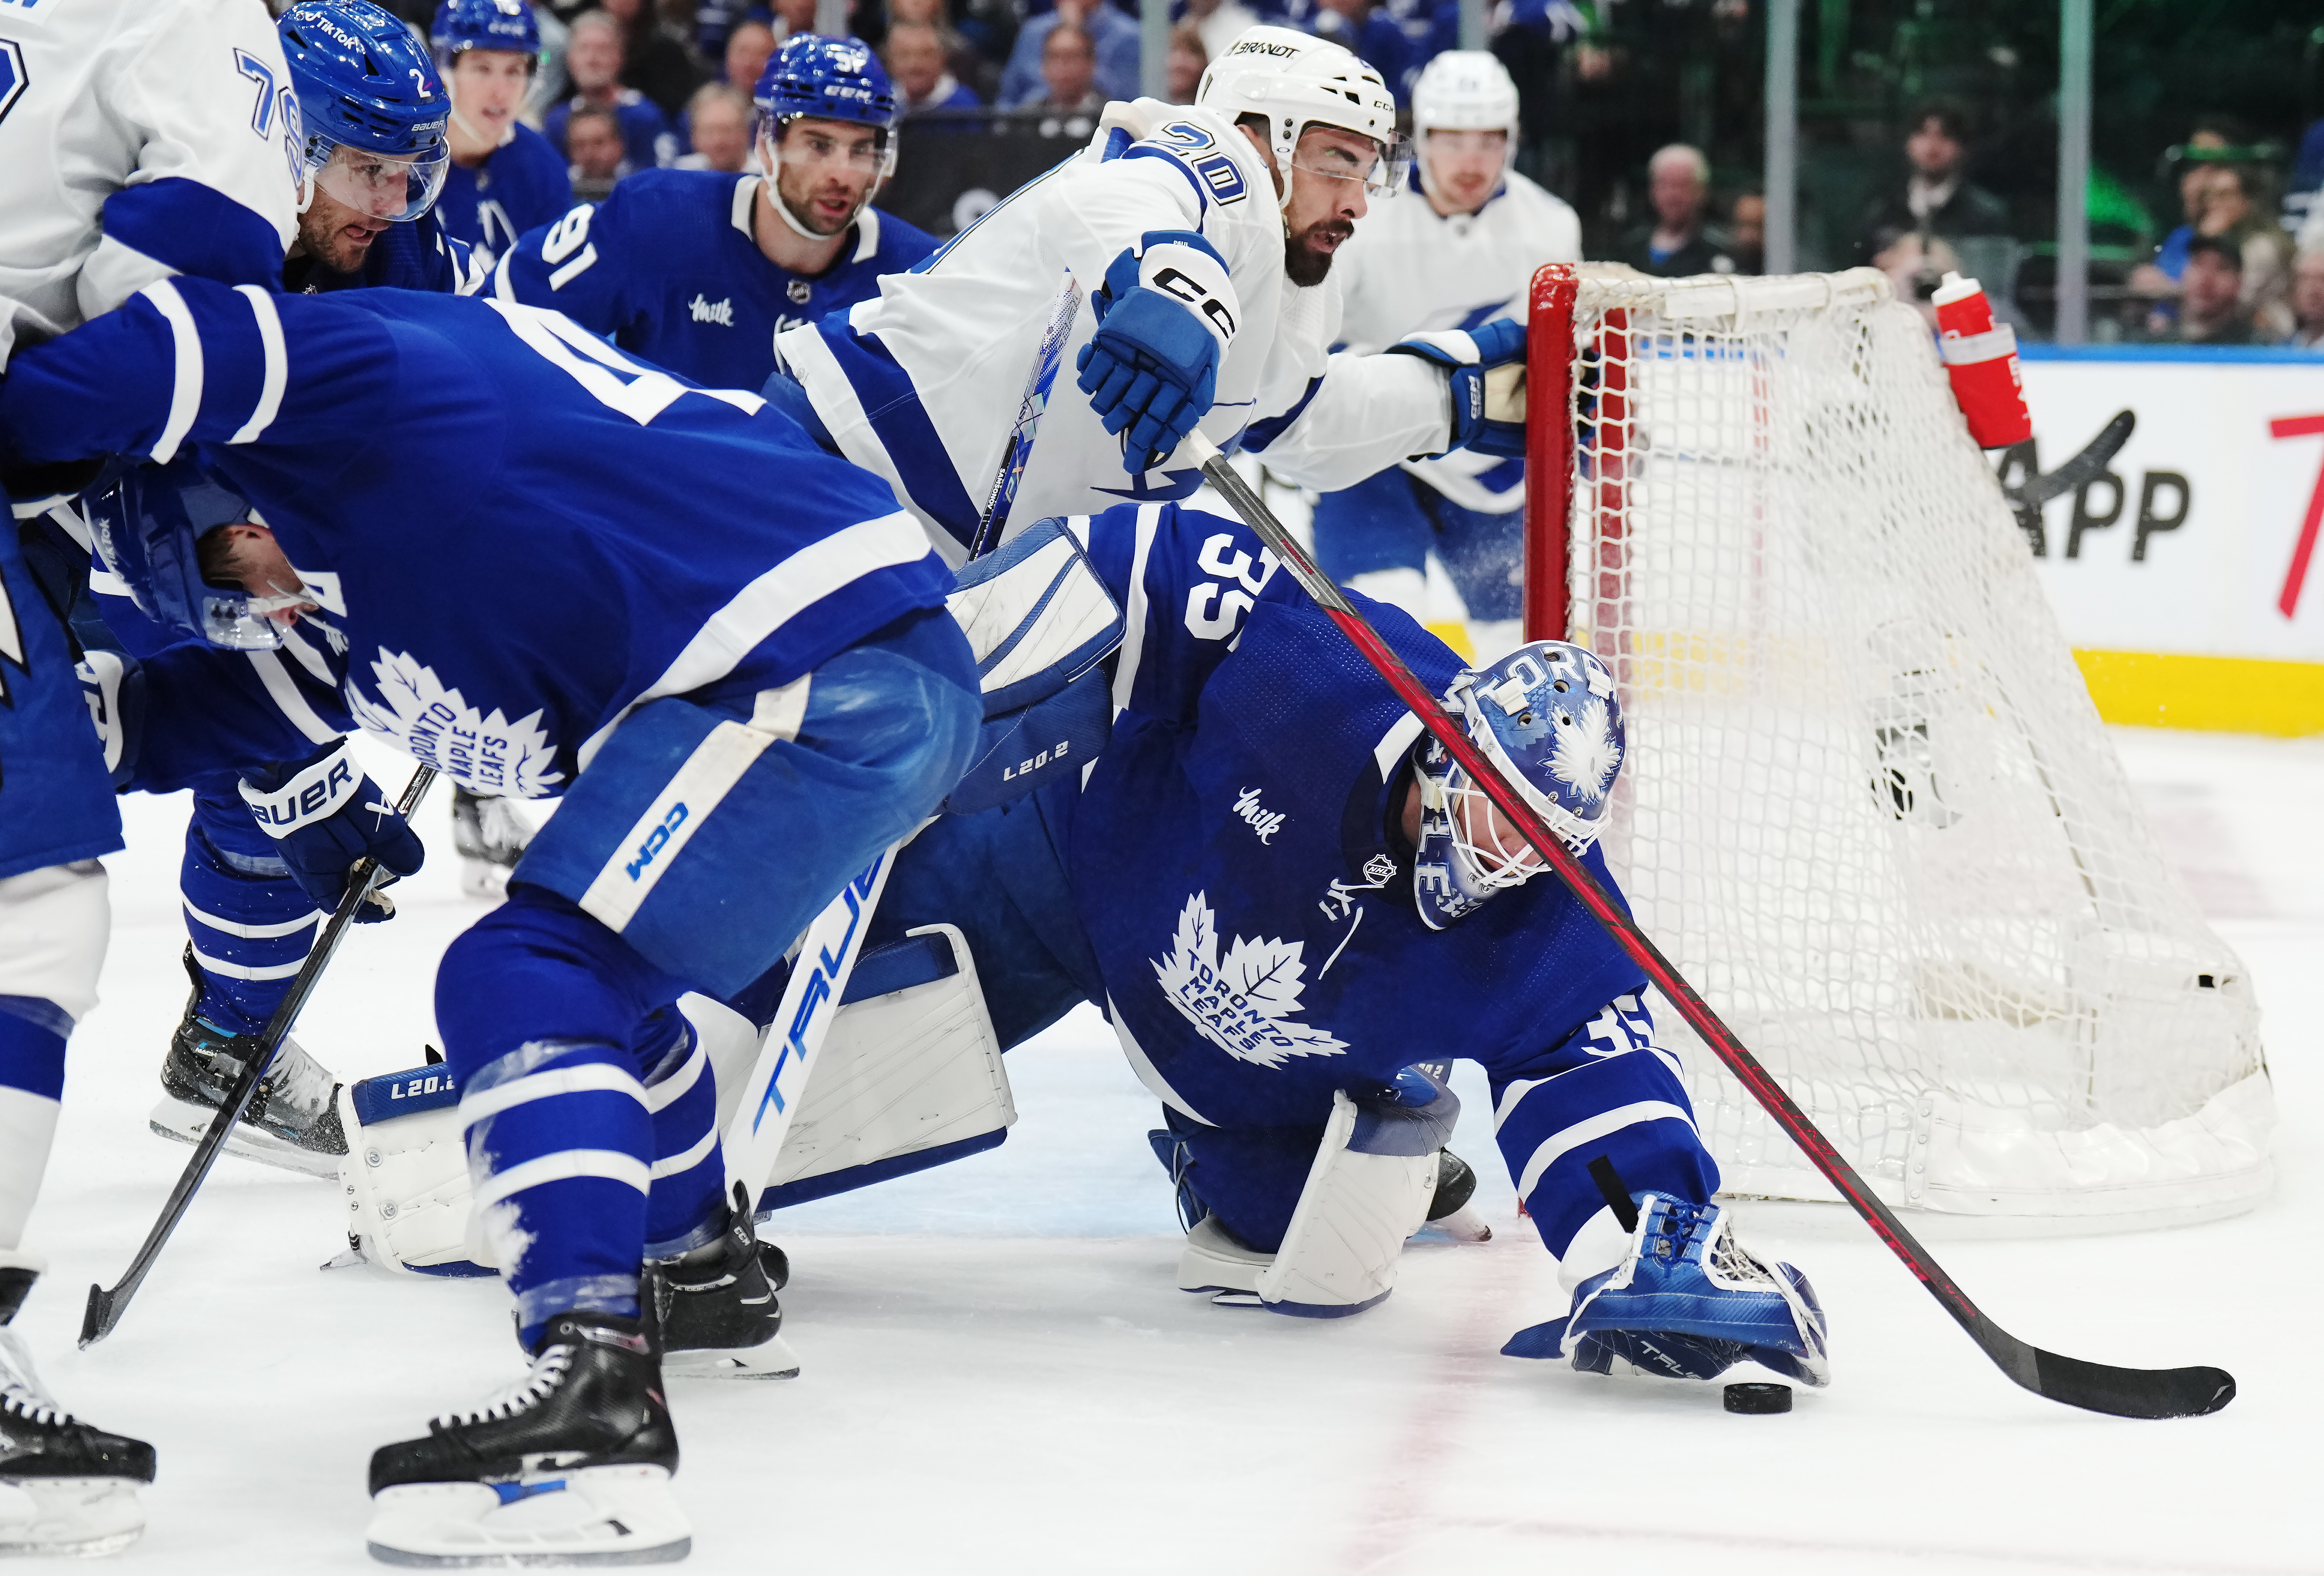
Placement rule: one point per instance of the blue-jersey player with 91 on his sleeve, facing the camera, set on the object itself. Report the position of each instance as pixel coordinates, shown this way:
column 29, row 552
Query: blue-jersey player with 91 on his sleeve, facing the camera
column 701, row 271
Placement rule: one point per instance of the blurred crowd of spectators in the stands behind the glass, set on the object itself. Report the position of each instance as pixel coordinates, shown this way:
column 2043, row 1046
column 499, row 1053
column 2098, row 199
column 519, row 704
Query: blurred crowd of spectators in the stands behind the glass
column 633, row 85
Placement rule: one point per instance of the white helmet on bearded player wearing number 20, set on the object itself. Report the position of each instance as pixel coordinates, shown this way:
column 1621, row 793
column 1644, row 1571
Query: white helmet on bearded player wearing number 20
column 1296, row 80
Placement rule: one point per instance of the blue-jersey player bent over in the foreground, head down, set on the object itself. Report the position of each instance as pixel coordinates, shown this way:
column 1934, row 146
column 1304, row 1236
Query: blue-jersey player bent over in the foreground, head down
column 731, row 661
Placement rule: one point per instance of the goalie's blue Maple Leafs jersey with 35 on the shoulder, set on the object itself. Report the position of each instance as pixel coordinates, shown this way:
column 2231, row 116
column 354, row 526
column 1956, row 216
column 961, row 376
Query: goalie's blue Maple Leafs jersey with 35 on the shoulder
column 1238, row 873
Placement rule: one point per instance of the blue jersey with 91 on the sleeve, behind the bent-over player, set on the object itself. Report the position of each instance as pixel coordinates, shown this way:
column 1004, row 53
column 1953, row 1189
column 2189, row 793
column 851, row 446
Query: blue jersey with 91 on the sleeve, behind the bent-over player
column 670, row 271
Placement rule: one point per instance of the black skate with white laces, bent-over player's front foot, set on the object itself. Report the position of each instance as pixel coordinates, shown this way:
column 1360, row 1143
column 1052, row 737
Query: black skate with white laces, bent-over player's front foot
column 571, row 1466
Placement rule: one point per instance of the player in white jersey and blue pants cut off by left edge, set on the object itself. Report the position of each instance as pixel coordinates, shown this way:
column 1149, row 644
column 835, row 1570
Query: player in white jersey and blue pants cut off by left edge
column 138, row 141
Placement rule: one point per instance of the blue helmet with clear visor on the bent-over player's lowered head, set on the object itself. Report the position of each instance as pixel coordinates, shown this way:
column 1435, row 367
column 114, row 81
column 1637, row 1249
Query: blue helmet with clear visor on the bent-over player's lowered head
column 145, row 531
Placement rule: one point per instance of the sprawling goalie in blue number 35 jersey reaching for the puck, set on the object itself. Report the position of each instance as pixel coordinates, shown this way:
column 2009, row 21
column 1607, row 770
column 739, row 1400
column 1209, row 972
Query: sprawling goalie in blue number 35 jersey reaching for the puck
column 1289, row 905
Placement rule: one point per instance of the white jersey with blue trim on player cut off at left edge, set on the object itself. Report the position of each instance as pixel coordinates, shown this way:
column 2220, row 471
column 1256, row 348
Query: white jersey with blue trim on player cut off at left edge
column 138, row 138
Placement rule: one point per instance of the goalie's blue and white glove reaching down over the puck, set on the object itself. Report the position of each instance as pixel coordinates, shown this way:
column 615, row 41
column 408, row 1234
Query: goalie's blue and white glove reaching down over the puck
column 1686, row 1303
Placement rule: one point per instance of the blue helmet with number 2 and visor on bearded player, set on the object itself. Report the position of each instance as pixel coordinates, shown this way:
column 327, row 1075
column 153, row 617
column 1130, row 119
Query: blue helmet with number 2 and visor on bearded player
column 373, row 106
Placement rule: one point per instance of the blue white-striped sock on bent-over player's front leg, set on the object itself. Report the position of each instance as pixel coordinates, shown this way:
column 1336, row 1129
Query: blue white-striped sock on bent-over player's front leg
column 552, row 1026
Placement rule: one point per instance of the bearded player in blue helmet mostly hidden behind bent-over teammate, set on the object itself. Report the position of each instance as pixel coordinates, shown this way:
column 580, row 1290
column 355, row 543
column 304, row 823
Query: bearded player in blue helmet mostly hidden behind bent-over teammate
column 368, row 101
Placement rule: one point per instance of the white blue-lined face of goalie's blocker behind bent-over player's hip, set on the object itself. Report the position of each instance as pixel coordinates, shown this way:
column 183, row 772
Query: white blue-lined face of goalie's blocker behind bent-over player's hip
column 1035, row 615
